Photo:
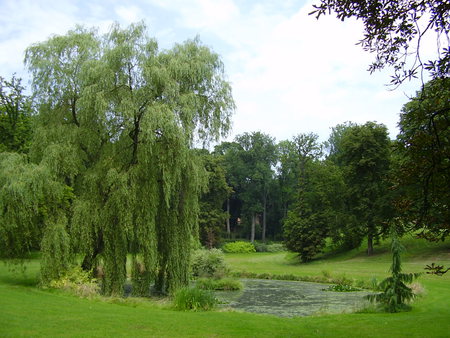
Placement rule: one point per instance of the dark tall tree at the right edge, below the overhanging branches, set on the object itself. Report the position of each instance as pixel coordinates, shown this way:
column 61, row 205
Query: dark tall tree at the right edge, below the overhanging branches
column 423, row 148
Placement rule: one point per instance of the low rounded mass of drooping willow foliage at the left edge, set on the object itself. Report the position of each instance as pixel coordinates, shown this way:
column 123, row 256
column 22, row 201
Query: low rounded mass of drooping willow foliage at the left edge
column 30, row 202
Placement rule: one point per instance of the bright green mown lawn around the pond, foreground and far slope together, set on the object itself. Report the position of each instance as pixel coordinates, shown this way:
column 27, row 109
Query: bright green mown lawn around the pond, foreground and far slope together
column 28, row 311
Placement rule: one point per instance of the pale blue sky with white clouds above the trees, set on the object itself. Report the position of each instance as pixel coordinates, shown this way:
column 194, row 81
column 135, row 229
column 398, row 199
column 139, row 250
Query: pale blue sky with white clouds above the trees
column 290, row 73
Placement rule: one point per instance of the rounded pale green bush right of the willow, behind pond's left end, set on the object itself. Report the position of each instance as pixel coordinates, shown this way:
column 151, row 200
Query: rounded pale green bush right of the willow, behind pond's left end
column 208, row 263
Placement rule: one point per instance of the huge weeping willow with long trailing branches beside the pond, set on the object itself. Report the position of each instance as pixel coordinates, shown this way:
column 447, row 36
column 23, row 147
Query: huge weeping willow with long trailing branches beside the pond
column 117, row 122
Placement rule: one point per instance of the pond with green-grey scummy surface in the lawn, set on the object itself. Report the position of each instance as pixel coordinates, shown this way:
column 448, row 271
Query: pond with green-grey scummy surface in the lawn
column 290, row 299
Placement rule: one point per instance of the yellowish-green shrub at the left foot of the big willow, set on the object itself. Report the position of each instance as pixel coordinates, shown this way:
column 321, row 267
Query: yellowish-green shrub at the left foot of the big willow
column 78, row 282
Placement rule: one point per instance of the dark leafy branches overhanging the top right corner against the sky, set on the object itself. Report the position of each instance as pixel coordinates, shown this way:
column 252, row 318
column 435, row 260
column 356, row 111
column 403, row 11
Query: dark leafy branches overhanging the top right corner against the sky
column 395, row 31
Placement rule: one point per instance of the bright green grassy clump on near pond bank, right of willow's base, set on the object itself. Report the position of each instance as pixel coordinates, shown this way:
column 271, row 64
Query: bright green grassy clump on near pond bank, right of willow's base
column 194, row 299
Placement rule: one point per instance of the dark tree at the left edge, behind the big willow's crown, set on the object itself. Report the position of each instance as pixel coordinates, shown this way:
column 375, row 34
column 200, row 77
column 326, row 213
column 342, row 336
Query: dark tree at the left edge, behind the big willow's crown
column 15, row 116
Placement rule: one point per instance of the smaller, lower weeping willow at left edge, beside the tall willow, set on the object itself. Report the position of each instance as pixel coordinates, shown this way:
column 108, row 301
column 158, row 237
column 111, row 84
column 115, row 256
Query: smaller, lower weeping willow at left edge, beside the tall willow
column 33, row 208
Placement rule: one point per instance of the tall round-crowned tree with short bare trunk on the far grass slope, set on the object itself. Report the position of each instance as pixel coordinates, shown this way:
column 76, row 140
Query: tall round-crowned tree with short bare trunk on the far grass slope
column 365, row 157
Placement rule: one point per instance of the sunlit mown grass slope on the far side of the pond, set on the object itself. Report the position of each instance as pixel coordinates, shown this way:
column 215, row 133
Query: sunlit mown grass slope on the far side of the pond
column 352, row 264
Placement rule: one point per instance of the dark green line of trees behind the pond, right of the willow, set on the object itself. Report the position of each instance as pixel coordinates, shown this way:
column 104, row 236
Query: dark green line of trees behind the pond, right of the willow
column 353, row 187
